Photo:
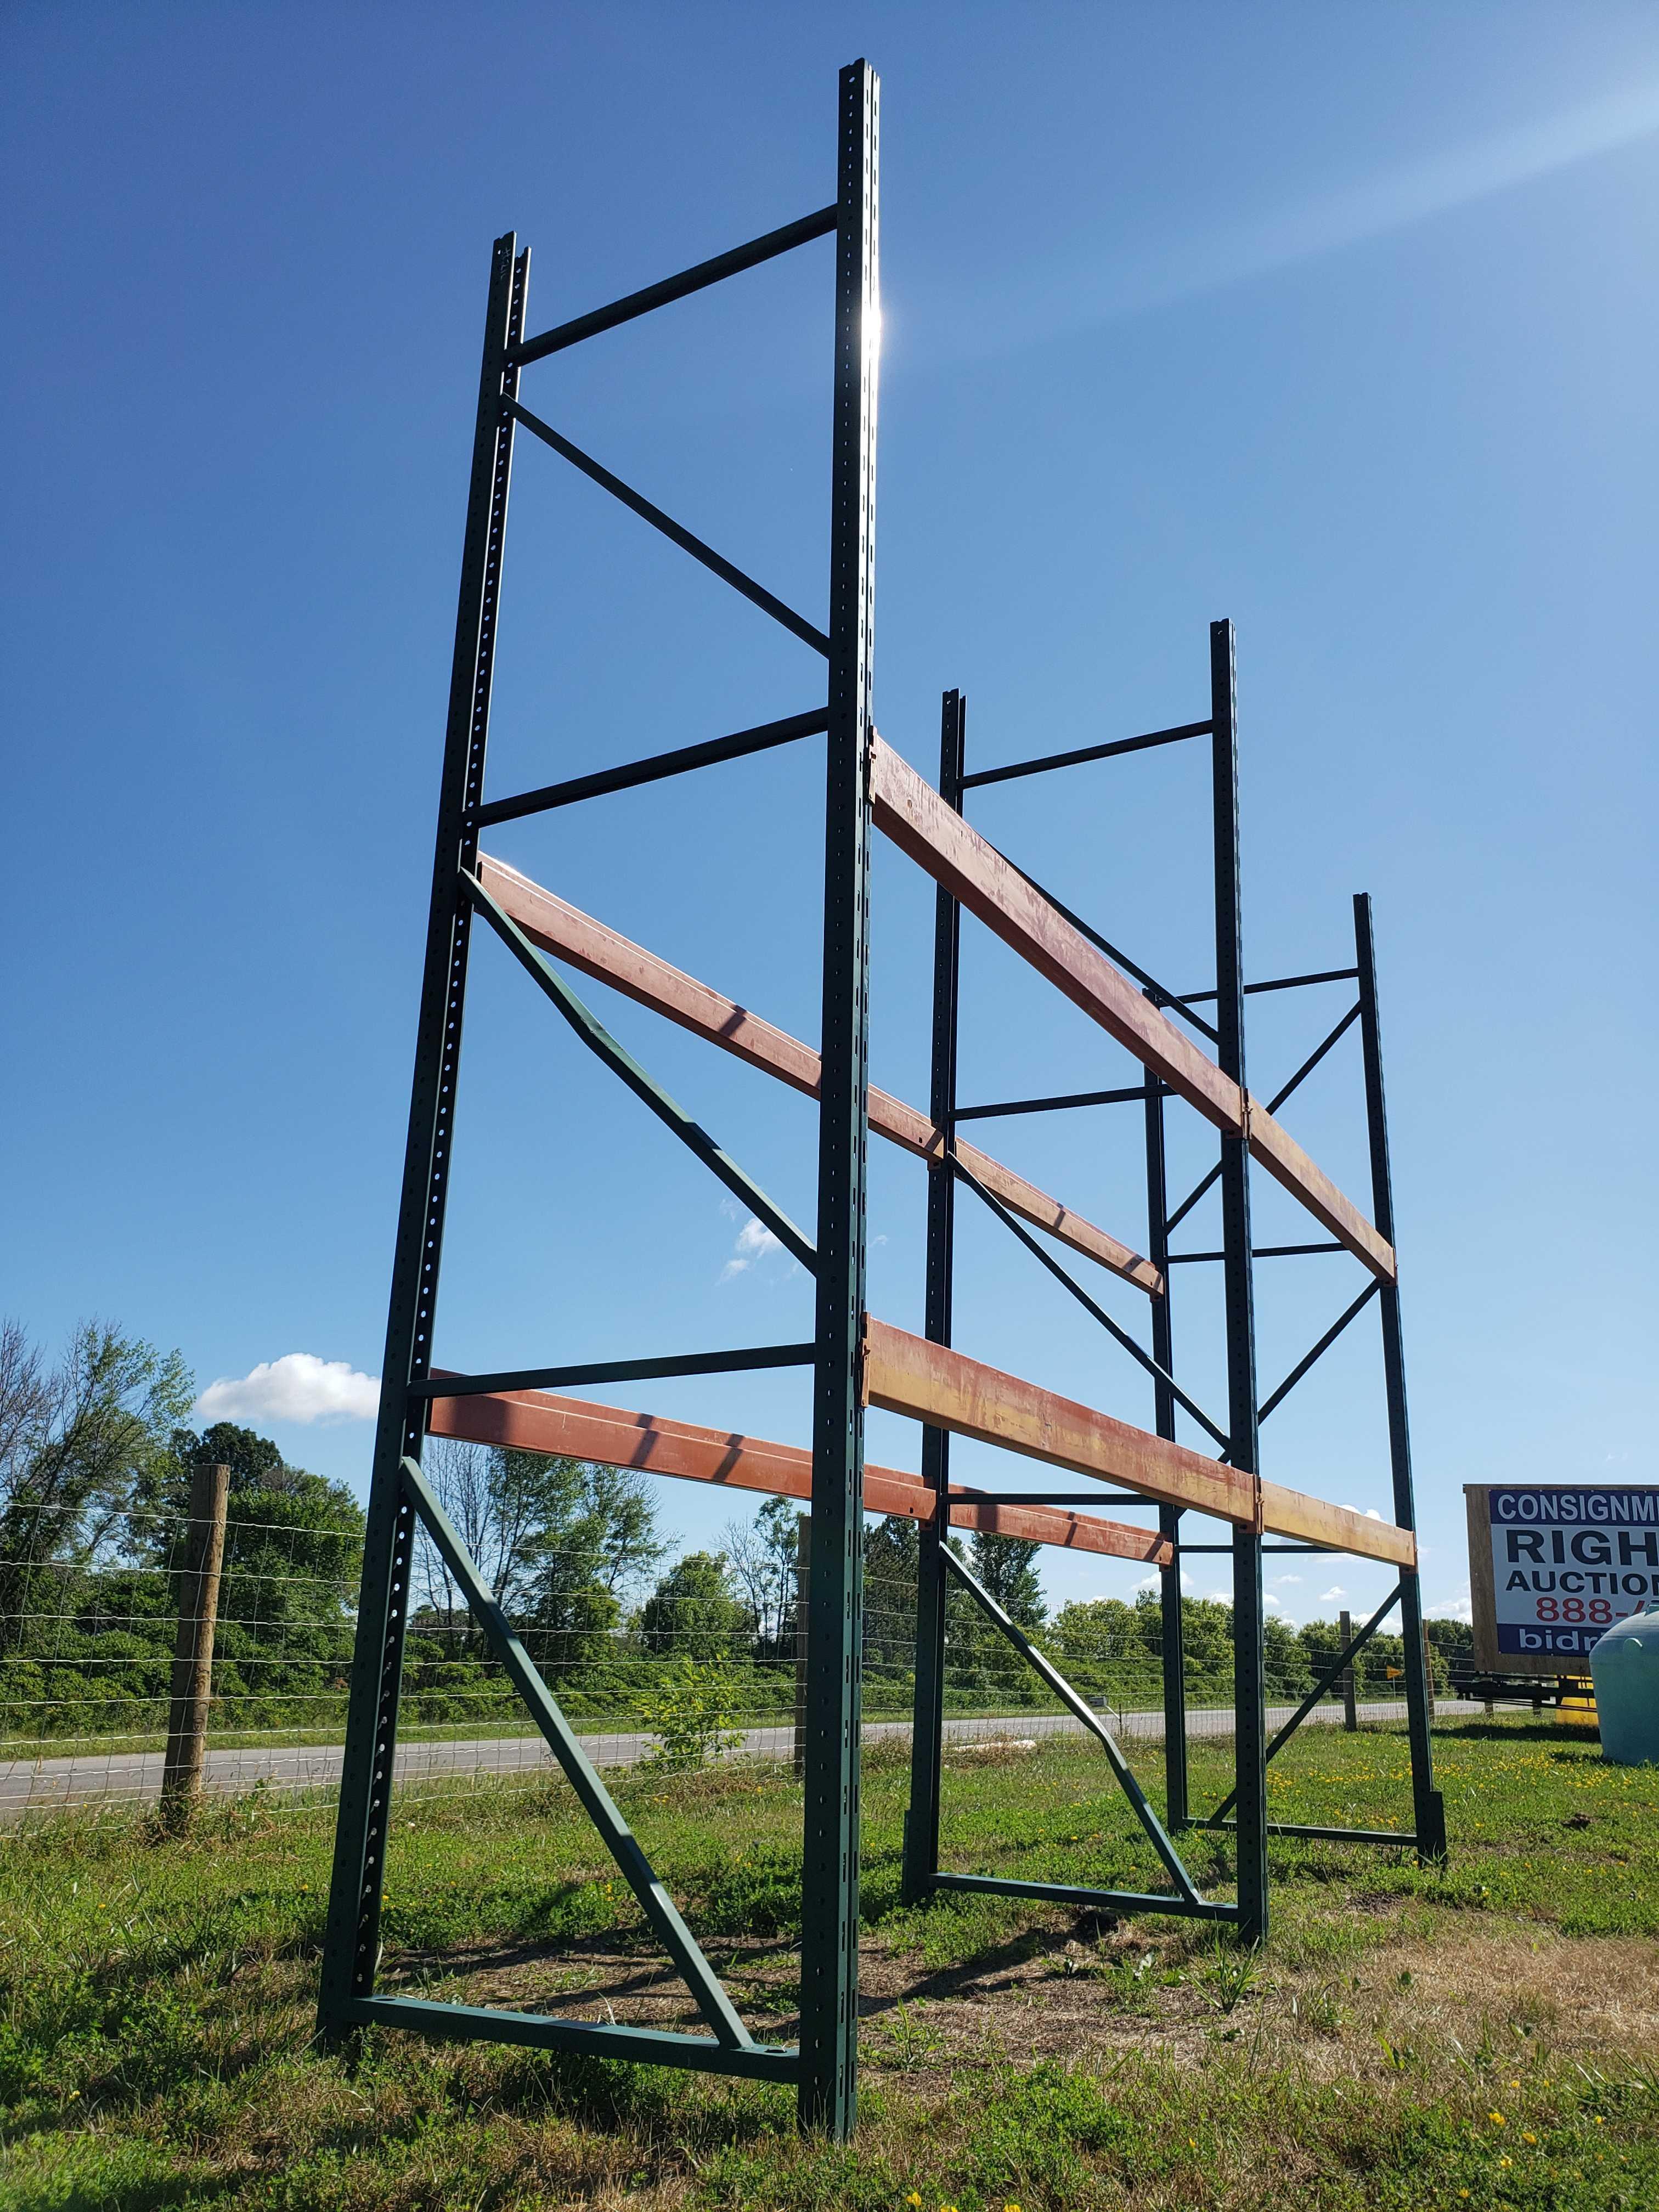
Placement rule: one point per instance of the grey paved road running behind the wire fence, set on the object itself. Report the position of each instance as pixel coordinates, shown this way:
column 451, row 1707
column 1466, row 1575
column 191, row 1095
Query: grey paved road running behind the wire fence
column 136, row 1777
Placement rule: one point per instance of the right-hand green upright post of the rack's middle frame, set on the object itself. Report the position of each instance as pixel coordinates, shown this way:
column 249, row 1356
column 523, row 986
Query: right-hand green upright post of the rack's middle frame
column 1249, row 1629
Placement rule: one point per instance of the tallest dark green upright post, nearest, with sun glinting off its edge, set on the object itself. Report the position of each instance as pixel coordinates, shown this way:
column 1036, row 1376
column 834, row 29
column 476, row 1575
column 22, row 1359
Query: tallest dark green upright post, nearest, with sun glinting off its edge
column 835, row 1634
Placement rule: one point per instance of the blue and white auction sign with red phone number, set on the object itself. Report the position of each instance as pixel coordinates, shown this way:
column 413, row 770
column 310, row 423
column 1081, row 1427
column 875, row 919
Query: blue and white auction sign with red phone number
column 1550, row 1569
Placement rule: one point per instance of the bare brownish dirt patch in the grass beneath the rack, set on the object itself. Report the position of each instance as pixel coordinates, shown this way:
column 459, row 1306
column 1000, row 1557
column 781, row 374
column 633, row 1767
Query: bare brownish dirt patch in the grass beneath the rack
column 1070, row 1987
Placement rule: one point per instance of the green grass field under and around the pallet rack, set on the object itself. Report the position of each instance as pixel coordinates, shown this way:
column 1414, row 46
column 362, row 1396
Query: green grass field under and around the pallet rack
column 1410, row 2038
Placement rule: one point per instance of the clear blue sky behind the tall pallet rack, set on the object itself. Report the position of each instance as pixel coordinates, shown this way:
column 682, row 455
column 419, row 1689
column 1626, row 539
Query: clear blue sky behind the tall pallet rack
column 1335, row 322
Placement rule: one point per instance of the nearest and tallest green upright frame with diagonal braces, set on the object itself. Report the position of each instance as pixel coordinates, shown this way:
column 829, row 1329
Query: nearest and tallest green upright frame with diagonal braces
column 824, row 2067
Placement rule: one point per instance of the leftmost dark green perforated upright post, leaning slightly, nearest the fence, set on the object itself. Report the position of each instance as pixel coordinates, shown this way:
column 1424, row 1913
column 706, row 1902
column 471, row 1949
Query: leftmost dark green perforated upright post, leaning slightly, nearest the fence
column 384, row 1605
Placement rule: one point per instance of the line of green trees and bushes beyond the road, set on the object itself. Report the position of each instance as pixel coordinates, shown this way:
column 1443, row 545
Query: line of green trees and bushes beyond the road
column 96, row 1463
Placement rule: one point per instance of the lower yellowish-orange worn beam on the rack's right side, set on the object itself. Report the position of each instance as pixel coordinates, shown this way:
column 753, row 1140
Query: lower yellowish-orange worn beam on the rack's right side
column 906, row 1375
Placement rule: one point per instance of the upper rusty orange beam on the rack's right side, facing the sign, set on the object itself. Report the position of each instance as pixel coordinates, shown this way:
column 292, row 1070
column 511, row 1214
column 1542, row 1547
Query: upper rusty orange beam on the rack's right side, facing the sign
column 917, row 820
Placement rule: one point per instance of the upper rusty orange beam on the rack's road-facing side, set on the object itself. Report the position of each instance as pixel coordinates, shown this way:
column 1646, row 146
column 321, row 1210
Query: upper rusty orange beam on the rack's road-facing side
column 572, row 935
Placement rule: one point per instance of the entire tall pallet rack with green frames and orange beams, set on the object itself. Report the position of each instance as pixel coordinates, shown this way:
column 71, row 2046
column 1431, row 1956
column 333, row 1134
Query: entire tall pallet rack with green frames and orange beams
column 855, row 1359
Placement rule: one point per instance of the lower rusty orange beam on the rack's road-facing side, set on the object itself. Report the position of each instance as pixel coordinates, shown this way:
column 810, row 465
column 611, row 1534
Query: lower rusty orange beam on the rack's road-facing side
column 574, row 1428
